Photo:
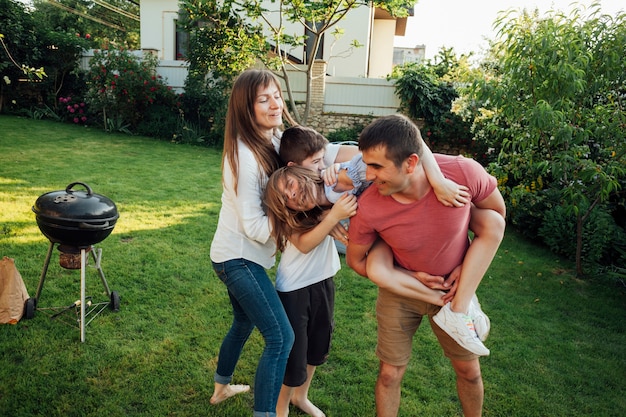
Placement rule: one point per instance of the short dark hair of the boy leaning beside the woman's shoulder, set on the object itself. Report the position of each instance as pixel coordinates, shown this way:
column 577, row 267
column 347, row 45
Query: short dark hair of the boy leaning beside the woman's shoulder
column 299, row 143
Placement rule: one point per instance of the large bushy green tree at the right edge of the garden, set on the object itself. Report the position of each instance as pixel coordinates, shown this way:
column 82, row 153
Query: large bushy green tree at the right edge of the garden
column 557, row 105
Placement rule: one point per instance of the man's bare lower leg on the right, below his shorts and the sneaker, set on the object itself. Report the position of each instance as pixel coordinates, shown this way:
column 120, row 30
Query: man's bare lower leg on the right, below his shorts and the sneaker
column 469, row 385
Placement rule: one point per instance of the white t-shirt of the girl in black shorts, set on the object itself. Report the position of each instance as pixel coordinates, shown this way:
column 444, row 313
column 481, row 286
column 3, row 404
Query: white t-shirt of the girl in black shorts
column 297, row 270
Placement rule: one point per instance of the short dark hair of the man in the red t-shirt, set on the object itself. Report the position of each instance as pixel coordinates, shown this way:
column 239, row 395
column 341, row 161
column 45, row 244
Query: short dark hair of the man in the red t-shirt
column 396, row 133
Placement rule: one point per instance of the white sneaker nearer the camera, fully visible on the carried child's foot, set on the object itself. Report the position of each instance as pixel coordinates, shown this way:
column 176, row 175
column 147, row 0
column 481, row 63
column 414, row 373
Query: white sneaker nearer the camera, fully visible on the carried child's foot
column 461, row 328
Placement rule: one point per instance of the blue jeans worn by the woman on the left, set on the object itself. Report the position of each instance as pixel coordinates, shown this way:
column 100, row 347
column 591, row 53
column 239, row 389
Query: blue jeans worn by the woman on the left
column 255, row 303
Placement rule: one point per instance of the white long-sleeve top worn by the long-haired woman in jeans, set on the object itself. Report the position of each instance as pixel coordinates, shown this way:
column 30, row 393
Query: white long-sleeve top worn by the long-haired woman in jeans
column 243, row 229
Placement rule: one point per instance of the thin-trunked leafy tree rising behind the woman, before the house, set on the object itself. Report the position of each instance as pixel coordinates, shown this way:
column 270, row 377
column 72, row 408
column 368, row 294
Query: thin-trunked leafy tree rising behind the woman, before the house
column 235, row 29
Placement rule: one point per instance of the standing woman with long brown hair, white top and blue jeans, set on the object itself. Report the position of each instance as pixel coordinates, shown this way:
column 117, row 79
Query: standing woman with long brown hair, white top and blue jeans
column 242, row 248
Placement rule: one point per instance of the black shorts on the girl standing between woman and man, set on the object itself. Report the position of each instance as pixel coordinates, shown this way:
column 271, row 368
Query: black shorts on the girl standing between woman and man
column 310, row 311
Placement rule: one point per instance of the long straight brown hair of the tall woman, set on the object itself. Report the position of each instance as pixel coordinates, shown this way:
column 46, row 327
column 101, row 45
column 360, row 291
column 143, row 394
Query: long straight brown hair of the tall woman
column 241, row 123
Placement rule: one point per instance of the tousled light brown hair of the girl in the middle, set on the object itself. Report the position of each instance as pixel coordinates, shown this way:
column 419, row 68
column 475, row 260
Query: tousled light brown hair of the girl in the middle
column 283, row 220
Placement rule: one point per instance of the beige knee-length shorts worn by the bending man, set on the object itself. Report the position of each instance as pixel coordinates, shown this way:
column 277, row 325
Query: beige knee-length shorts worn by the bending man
column 398, row 320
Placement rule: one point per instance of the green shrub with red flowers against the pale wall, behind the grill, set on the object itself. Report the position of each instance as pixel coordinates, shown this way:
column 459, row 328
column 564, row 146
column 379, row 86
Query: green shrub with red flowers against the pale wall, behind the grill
column 123, row 88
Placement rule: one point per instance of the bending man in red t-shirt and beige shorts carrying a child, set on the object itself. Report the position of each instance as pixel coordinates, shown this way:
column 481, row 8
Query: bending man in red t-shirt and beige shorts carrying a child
column 401, row 208
